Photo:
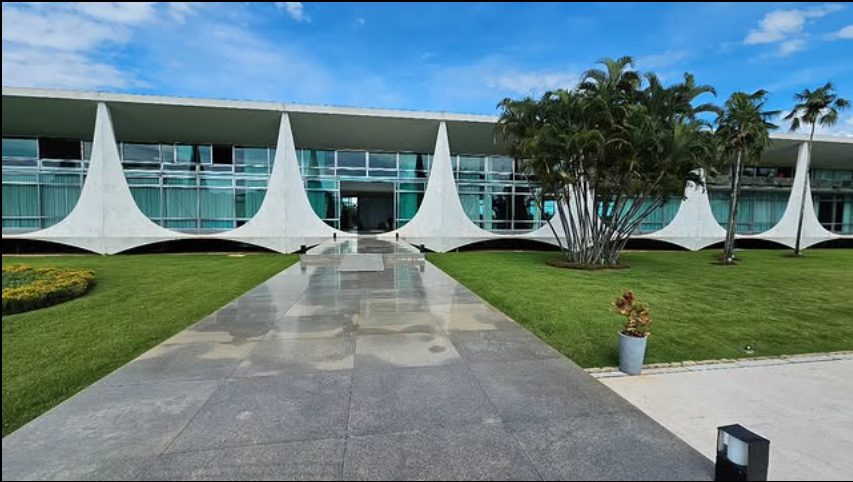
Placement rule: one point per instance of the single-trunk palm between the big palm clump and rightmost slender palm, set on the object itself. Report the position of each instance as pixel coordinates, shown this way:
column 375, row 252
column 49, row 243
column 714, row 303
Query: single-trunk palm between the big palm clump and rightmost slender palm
column 744, row 130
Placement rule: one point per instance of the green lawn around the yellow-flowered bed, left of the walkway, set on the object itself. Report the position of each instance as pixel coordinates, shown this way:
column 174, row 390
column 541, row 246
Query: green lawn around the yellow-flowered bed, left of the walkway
column 139, row 301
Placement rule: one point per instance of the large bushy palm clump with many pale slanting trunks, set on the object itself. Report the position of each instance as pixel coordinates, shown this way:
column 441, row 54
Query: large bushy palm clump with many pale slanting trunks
column 621, row 144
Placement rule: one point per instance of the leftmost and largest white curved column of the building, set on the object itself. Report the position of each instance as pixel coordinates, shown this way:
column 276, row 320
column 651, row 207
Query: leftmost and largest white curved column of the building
column 106, row 219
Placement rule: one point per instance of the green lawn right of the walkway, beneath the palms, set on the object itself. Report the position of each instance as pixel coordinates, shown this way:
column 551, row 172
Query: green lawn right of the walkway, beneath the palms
column 701, row 310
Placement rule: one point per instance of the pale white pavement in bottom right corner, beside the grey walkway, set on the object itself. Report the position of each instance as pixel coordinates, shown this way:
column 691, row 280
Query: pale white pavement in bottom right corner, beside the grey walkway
column 805, row 409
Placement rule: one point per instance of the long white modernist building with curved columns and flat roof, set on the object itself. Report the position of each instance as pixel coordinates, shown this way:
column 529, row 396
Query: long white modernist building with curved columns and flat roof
column 108, row 173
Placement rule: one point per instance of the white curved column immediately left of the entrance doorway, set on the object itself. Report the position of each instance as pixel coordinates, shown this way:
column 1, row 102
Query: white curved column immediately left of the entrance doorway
column 285, row 221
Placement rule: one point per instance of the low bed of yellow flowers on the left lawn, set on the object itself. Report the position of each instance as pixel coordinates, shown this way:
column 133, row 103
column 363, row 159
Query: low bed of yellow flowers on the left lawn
column 49, row 286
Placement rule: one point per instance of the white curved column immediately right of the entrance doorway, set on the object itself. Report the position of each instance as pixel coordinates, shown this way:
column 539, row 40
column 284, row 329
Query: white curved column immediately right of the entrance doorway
column 441, row 223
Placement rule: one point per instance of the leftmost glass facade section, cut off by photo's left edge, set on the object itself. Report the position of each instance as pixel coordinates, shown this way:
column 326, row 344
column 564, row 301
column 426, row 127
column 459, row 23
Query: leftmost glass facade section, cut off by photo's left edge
column 40, row 192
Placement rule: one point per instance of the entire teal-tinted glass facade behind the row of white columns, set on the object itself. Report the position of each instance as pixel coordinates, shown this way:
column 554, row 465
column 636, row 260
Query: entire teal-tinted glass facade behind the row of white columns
column 213, row 188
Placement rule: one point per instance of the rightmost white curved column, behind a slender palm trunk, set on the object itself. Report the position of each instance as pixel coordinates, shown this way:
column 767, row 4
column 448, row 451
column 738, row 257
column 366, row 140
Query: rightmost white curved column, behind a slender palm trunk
column 785, row 231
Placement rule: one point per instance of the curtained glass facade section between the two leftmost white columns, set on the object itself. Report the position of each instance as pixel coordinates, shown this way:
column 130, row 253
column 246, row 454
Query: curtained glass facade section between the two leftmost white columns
column 178, row 186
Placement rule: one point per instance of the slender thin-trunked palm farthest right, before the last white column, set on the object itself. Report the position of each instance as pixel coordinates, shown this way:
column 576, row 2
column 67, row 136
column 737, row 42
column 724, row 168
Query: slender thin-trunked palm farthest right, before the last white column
column 814, row 107
